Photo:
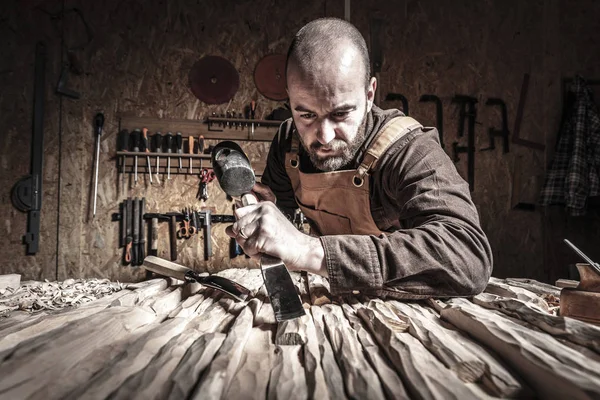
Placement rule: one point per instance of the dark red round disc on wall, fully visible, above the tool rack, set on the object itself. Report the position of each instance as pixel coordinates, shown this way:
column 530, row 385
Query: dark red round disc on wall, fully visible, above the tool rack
column 214, row 80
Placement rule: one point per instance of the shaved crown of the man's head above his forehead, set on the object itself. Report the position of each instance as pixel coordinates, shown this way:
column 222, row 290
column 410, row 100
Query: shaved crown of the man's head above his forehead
column 327, row 45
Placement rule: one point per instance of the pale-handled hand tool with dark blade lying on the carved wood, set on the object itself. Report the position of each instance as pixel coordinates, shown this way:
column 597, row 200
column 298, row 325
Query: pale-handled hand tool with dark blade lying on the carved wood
column 167, row 268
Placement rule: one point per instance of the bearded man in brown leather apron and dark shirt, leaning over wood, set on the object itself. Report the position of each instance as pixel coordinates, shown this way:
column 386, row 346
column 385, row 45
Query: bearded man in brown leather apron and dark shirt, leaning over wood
column 389, row 213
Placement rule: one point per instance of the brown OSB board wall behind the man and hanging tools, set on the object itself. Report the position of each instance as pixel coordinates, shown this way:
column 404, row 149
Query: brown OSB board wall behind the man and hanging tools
column 138, row 63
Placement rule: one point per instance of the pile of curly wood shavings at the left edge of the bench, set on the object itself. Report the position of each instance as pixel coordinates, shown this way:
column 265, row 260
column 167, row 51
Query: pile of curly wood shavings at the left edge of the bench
column 36, row 296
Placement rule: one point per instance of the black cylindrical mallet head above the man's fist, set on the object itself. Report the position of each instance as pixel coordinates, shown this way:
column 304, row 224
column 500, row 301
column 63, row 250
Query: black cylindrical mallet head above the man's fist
column 232, row 169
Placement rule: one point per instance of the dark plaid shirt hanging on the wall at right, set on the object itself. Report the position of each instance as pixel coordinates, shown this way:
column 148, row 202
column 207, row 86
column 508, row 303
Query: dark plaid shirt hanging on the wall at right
column 575, row 171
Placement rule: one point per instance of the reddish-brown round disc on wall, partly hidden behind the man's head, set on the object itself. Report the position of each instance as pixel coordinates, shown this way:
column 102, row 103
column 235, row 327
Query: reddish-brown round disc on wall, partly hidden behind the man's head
column 269, row 77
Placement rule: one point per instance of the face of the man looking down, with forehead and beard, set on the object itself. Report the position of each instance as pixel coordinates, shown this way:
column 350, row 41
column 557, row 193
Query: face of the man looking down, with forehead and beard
column 329, row 107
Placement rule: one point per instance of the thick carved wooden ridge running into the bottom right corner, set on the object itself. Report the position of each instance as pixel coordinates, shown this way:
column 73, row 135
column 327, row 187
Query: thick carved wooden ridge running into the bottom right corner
column 537, row 356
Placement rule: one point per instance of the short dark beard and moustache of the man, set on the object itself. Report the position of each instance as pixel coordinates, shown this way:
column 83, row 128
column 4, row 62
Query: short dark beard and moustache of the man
column 348, row 150
